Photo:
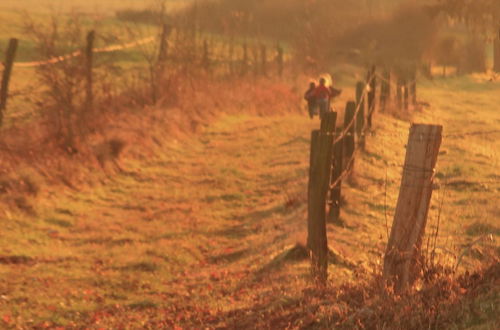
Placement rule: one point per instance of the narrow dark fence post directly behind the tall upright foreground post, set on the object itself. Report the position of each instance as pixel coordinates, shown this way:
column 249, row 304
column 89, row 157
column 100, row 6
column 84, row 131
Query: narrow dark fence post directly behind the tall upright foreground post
column 335, row 191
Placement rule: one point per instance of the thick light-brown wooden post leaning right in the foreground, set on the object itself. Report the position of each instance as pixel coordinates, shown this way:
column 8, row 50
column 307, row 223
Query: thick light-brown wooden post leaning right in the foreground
column 401, row 261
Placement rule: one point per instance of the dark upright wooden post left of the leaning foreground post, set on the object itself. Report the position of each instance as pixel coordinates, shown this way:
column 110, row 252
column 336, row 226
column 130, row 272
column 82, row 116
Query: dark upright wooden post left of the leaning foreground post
column 319, row 183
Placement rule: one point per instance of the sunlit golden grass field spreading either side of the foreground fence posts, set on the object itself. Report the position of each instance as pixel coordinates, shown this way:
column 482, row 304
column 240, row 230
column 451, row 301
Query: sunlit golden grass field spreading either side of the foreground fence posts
column 193, row 233
